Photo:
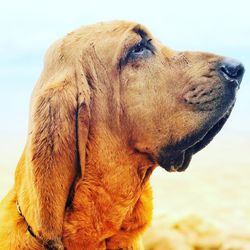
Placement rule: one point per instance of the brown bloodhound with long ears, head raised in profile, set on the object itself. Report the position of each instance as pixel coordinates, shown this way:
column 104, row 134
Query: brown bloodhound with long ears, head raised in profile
column 111, row 104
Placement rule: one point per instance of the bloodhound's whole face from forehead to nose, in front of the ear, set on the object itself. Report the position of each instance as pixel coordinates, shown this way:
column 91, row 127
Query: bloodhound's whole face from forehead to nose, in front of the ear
column 163, row 103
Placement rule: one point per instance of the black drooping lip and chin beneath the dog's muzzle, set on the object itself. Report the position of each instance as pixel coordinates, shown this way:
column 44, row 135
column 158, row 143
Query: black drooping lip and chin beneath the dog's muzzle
column 177, row 157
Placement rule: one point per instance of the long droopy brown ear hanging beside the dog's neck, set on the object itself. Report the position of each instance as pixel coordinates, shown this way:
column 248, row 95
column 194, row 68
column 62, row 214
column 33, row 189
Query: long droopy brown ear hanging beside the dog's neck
column 59, row 121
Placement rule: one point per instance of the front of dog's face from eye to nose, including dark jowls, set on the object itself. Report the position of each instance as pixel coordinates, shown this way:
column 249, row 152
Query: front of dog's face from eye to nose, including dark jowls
column 176, row 102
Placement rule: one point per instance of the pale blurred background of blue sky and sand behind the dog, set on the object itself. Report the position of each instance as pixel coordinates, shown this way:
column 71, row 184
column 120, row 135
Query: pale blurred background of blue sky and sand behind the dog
column 207, row 206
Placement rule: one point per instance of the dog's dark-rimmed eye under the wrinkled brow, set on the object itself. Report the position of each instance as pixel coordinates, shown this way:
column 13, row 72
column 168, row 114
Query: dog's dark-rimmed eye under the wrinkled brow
column 142, row 49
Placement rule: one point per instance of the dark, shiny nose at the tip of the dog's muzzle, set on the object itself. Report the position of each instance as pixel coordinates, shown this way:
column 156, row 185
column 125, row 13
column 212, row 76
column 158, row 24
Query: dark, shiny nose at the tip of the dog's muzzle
column 231, row 70
